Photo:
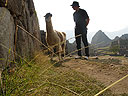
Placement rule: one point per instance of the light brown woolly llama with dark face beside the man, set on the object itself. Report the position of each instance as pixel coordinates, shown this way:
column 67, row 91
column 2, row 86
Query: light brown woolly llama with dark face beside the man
column 54, row 38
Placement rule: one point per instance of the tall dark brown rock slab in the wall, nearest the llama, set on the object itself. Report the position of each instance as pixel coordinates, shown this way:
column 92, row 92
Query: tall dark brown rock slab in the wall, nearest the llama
column 26, row 44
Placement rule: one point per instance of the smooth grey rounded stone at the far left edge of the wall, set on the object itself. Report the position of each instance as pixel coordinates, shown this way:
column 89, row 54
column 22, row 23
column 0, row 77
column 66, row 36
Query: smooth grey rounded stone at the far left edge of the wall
column 7, row 30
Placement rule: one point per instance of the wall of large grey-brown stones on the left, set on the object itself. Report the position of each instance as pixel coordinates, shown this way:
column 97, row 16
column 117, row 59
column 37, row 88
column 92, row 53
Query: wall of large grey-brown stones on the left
column 21, row 13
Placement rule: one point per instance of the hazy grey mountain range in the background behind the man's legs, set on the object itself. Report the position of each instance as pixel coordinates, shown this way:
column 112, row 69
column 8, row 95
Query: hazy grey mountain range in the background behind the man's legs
column 100, row 39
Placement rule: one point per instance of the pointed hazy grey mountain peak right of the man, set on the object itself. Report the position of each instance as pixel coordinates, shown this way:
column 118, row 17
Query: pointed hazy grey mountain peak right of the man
column 100, row 39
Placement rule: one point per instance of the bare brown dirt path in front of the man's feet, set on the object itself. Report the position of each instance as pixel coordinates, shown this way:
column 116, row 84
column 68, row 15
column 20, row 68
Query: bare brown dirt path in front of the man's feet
column 106, row 69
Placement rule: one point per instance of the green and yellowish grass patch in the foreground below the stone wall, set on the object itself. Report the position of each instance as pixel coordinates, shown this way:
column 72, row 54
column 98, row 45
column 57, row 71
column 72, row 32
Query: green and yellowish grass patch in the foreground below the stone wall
column 41, row 78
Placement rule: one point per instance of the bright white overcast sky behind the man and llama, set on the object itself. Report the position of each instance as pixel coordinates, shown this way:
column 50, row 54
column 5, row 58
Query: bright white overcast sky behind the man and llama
column 106, row 15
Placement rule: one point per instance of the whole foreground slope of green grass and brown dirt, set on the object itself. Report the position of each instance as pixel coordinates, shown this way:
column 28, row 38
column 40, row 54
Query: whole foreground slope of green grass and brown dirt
column 72, row 77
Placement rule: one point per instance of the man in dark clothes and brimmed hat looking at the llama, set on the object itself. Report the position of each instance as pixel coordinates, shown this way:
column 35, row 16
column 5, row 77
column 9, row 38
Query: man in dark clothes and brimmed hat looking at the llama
column 81, row 20
